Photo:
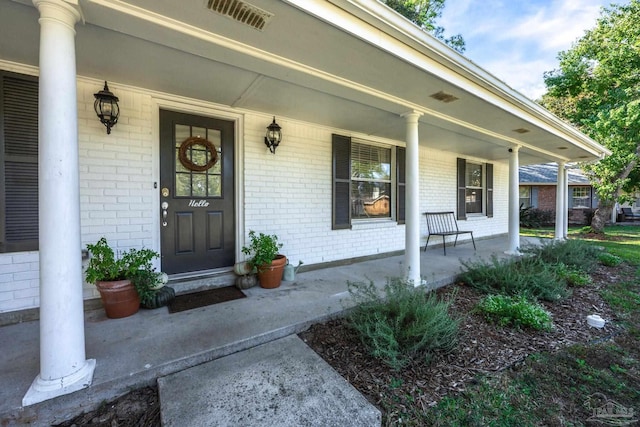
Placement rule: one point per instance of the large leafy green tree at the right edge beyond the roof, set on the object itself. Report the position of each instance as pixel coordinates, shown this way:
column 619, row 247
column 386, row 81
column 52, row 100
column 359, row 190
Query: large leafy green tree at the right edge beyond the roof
column 597, row 89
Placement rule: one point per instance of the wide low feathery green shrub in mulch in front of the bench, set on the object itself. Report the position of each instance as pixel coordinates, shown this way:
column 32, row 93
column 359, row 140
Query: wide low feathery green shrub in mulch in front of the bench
column 528, row 276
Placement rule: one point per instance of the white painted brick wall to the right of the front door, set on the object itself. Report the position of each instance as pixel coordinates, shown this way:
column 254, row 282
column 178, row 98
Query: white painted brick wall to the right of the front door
column 295, row 202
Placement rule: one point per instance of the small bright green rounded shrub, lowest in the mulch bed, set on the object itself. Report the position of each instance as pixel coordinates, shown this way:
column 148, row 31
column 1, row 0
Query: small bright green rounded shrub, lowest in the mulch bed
column 516, row 311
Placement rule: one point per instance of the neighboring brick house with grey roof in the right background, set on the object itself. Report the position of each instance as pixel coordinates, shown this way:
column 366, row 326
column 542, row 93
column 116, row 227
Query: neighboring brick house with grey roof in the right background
column 538, row 189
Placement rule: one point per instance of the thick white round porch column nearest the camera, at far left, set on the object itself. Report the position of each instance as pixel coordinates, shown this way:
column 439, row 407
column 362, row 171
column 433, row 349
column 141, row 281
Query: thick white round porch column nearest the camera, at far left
column 63, row 366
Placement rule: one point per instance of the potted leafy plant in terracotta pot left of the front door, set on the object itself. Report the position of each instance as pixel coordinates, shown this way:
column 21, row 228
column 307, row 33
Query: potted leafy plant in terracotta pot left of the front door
column 112, row 276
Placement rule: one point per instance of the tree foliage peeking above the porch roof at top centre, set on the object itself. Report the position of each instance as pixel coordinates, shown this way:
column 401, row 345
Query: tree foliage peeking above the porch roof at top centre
column 424, row 13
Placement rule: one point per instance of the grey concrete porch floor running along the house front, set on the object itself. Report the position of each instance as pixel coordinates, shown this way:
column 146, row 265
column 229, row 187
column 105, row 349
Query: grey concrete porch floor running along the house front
column 135, row 351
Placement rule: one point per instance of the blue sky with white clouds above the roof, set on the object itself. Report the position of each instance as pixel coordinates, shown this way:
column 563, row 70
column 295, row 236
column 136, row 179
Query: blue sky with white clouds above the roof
column 518, row 40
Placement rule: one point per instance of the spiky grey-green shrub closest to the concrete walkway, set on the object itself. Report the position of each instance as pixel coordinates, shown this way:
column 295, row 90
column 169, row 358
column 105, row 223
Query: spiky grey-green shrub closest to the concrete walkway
column 401, row 323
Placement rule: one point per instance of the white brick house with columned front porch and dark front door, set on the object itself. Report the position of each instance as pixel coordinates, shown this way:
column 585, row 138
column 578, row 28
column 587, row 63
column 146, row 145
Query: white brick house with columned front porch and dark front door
column 371, row 107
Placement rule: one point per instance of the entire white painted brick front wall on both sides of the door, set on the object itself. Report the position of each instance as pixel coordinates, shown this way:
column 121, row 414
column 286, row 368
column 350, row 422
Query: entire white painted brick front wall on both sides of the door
column 288, row 194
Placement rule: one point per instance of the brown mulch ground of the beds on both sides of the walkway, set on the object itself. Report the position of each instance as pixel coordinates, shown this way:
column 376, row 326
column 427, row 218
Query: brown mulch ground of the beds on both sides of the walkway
column 484, row 348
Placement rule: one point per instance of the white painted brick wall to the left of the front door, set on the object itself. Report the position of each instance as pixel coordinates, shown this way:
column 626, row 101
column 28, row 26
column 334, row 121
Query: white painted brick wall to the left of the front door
column 116, row 190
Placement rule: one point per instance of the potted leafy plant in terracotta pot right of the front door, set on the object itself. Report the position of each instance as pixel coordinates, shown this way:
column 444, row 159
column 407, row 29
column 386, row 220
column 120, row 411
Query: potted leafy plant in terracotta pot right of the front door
column 265, row 258
